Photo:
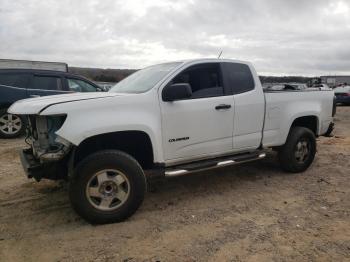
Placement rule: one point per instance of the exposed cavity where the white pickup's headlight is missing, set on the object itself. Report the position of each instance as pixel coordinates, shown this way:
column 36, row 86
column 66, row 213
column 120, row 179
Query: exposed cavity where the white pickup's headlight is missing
column 42, row 137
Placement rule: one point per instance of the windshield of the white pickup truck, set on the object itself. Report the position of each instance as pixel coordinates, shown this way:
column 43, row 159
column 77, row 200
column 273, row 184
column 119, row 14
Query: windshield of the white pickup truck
column 143, row 80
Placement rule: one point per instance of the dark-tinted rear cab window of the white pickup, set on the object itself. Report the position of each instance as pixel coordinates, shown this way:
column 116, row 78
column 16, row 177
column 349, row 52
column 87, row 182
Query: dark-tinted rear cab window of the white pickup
column 237, row 77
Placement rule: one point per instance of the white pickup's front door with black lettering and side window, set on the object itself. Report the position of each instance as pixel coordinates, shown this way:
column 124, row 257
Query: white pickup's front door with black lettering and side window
column 203, row 124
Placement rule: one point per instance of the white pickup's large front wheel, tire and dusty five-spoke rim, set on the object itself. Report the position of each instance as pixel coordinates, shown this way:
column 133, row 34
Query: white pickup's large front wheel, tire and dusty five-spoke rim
column 108, row 186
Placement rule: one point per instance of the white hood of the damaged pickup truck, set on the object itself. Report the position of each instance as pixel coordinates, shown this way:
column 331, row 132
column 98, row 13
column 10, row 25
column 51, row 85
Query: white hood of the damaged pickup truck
column 33, row 106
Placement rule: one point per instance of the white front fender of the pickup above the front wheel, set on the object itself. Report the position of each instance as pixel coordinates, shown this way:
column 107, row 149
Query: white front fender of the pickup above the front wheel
column 90, row 118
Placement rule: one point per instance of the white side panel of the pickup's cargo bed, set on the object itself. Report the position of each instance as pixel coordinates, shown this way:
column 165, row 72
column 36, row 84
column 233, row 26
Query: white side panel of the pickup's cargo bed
column 281, row 105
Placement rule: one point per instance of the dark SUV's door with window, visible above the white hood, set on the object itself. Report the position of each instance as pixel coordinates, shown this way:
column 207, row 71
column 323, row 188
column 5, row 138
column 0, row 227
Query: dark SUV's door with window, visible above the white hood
column 45, row 84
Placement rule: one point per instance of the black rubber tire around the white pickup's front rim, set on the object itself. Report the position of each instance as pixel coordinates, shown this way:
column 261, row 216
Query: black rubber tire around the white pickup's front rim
column 88, row 168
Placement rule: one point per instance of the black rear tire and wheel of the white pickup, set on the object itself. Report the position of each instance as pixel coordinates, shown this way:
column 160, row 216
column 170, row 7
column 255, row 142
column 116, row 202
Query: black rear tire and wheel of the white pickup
column 289, row 157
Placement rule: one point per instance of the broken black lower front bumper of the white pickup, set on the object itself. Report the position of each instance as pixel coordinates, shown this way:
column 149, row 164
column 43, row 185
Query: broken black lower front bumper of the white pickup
column 34, row 169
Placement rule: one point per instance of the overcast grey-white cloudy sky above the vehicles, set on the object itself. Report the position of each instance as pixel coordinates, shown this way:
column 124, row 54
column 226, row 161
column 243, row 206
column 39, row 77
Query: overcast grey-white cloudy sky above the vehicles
column 299, row 37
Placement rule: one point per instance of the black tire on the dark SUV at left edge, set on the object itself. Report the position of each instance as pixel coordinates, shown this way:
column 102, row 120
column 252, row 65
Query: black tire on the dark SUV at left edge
column 5, row 132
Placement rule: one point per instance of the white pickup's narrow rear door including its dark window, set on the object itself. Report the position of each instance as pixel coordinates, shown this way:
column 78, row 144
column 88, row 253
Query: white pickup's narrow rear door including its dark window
column 249, row 105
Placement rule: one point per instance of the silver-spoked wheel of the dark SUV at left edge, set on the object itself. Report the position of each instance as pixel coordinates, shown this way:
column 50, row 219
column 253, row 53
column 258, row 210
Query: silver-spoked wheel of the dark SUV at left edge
column 10, row 125
